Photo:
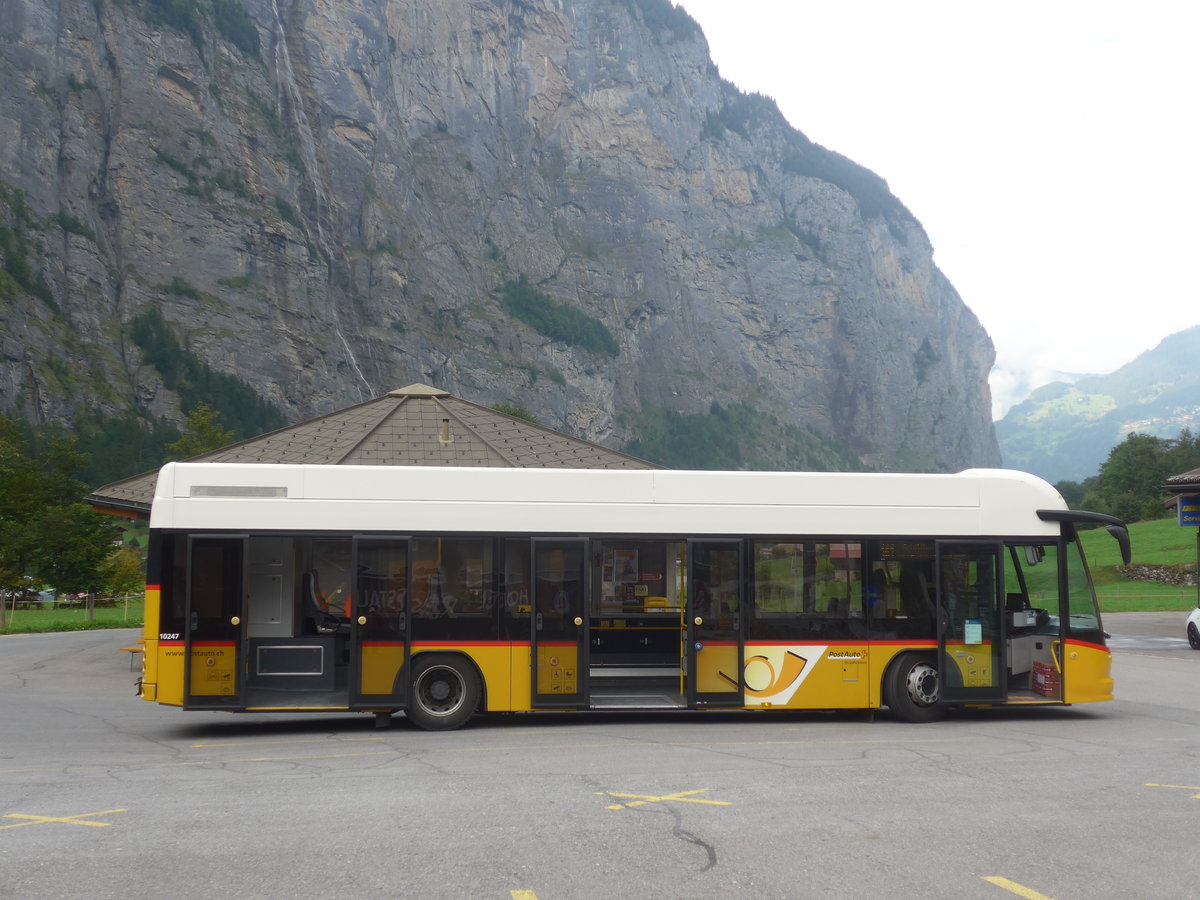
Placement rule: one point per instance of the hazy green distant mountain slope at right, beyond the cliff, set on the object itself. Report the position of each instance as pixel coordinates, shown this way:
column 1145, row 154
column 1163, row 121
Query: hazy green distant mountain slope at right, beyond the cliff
column 1066, row 431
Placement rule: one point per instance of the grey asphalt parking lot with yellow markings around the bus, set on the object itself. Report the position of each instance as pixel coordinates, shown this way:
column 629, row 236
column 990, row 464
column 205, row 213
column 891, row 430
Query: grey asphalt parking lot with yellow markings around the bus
column 103, row 795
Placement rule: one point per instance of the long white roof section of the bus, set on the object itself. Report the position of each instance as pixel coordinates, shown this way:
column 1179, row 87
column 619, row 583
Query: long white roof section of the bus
column 401, row 500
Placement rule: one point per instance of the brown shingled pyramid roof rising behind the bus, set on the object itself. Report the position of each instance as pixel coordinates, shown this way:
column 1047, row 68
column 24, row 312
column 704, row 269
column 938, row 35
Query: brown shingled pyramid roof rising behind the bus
column 417, row 425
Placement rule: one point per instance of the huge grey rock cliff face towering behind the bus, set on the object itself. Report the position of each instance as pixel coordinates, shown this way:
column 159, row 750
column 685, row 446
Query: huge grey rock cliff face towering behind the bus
column 331, row 200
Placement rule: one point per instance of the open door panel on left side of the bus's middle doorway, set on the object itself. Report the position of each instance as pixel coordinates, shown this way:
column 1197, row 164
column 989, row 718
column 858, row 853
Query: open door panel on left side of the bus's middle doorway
column 560, row 623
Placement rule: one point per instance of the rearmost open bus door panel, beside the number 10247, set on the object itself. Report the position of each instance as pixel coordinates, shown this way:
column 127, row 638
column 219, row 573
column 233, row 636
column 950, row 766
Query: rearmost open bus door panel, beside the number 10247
column 215, row 610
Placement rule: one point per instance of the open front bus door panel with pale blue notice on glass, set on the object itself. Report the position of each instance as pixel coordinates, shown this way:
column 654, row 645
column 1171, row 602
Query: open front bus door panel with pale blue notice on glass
column 971, row 621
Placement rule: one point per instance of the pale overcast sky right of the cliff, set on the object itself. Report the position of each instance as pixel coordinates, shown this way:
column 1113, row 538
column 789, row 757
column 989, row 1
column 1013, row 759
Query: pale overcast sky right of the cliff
column 1048, row 148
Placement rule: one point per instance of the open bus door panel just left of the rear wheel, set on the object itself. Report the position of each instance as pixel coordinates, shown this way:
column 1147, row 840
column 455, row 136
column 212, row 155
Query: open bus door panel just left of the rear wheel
column 381, row 641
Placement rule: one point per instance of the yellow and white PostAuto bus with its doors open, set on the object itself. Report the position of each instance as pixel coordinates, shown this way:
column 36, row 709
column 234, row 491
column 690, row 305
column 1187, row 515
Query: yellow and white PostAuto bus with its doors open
column 448, row 592
